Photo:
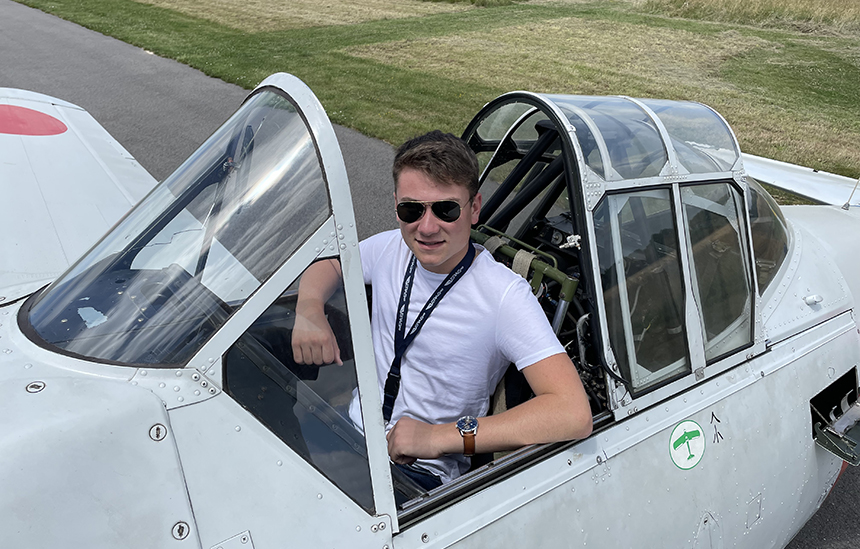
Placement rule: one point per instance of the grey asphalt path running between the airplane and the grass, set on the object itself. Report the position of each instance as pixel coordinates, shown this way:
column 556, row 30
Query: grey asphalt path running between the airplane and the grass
column 161, row 110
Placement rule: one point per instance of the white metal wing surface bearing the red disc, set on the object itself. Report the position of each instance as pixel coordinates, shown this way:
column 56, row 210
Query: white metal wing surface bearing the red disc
column 60, row 192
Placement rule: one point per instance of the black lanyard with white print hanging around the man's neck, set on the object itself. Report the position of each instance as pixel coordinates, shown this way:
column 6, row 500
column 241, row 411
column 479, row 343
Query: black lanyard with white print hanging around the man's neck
column 401, row 341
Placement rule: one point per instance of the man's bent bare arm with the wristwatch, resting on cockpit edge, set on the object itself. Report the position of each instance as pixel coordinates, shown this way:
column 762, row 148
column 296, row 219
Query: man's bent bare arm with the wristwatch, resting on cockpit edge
column 559, row 411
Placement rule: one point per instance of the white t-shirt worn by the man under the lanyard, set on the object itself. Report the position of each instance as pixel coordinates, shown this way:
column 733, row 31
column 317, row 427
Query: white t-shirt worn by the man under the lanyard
column 489, row 319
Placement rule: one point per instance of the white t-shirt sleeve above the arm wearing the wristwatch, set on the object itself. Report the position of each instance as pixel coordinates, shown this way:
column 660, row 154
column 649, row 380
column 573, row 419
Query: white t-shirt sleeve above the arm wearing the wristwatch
column 523, row 332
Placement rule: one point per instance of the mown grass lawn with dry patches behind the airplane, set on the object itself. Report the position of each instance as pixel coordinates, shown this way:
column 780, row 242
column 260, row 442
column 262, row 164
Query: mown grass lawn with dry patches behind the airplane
column 787, row 79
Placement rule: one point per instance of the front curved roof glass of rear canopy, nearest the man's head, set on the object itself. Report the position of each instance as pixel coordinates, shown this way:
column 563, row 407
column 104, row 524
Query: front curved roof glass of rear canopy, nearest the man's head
column 632, row 140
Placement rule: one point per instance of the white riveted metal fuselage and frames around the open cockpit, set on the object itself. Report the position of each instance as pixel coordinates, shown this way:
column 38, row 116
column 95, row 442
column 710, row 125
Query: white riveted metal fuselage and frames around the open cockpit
column 97, row 455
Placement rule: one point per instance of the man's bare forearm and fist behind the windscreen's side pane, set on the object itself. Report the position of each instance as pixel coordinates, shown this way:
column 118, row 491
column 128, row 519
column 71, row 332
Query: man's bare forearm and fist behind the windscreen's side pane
column 313, row 340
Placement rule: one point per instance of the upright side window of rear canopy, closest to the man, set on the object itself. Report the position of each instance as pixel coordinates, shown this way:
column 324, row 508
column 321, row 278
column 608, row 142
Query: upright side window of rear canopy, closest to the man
column 642, row 285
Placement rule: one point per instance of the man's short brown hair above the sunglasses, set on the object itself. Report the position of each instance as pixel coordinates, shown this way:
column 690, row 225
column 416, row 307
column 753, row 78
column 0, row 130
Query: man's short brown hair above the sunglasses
column 443, row 157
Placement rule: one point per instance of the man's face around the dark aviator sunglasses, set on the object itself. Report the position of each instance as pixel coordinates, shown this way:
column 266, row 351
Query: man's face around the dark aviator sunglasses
column 438, row 245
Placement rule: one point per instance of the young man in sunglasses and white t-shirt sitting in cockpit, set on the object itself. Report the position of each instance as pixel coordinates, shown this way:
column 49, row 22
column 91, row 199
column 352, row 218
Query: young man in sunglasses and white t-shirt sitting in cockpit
column 473, row 315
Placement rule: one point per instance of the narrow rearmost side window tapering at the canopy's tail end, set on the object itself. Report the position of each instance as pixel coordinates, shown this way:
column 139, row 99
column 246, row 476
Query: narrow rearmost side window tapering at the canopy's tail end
column 769, row 232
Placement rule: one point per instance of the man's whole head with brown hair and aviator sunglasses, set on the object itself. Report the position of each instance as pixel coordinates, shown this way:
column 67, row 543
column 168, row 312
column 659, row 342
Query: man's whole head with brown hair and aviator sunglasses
column 431, row 173
